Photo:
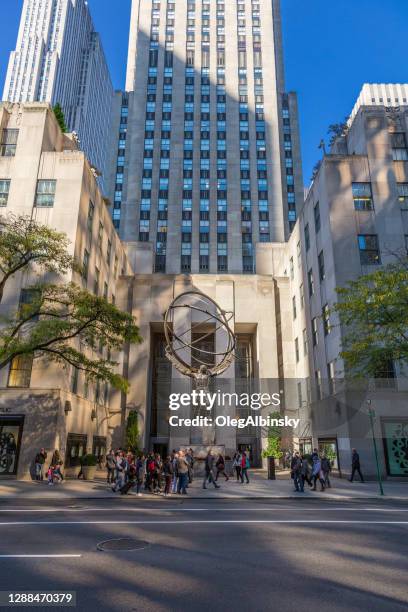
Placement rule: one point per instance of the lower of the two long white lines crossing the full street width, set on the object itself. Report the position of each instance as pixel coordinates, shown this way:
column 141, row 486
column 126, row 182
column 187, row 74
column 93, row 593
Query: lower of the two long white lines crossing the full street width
column 208, row 522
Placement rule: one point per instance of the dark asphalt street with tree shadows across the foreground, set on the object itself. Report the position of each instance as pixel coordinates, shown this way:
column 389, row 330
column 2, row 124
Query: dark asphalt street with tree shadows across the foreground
column 213, row 555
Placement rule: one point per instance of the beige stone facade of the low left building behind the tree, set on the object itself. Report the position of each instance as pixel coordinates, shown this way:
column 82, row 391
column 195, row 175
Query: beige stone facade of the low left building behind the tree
column 54, row 405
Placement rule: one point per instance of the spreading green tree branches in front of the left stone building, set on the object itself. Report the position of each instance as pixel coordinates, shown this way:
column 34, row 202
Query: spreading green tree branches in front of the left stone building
column 57, row 320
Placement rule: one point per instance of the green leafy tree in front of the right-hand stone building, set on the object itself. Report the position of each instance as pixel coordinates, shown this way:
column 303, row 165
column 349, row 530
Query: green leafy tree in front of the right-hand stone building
column 374, row 311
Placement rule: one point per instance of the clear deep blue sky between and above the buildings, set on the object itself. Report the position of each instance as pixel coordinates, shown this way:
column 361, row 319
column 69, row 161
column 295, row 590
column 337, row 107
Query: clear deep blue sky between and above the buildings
column 331, row 48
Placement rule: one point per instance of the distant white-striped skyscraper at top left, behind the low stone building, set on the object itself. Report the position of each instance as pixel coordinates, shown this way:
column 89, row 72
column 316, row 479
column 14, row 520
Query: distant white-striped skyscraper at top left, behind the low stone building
column 59, row 58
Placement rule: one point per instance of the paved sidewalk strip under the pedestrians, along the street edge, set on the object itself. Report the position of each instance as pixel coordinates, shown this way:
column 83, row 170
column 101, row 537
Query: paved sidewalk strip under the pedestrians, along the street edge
column 258, row 488
